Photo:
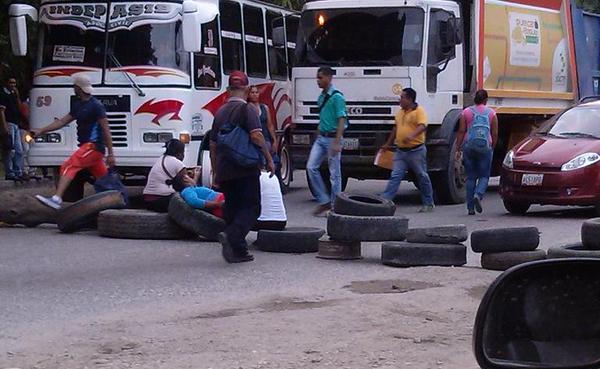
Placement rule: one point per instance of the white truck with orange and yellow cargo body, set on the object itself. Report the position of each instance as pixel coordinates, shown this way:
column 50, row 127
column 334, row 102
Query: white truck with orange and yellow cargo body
column 521, row 51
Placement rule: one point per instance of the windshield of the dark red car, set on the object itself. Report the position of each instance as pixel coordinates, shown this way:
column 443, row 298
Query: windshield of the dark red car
column 580, row 121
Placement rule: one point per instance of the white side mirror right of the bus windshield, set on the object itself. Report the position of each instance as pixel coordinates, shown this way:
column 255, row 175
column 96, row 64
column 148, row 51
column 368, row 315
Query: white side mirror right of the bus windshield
column 194, row 15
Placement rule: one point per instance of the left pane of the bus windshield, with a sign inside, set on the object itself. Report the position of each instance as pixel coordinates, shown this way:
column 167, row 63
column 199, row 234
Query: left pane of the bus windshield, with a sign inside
column 66, row 45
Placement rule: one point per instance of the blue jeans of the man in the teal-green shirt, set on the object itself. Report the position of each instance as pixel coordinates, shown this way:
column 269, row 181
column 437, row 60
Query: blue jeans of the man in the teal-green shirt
column 321, row 149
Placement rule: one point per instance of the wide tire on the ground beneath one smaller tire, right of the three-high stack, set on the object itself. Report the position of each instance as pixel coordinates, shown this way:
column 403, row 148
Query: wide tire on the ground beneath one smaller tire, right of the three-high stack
column 405, row 254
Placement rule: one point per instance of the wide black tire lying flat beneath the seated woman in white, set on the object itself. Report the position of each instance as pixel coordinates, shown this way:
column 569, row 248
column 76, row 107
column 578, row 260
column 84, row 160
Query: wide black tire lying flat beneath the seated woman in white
column 139, row 224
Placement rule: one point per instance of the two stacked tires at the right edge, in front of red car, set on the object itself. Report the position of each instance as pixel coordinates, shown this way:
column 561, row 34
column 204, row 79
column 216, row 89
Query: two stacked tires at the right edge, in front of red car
column 589, row 247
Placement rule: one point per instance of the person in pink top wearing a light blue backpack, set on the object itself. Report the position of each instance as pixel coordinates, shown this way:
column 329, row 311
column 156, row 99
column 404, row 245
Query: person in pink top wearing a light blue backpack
column 476, row 138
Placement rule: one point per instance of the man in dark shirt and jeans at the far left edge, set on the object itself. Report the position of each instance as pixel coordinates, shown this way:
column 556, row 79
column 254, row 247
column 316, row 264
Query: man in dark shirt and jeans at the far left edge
column 9, row 98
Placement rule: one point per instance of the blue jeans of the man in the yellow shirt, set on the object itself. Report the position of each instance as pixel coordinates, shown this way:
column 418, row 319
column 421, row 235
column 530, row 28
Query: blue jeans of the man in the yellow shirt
column 415, row 160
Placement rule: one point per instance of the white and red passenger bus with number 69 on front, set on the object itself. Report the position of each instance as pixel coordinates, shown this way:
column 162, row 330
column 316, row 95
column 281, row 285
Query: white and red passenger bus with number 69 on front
column 159, row 67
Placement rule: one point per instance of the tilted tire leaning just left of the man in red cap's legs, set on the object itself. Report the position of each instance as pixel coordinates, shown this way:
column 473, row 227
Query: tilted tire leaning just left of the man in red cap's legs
column 198, row 222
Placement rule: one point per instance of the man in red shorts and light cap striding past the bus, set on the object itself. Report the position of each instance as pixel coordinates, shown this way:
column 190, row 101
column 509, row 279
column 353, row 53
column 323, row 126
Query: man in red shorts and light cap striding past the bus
column 93, row 135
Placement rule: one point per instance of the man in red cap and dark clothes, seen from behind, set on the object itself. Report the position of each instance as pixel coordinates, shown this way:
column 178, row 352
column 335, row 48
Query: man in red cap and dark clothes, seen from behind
column 239, row 184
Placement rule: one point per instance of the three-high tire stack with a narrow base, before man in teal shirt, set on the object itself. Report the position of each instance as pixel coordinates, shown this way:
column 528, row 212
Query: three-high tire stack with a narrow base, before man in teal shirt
column 360, row 218
